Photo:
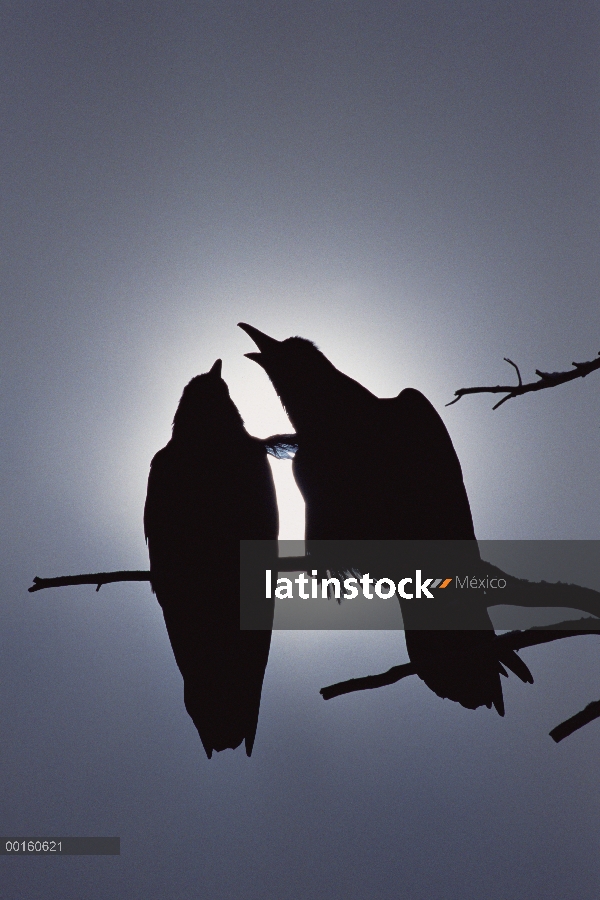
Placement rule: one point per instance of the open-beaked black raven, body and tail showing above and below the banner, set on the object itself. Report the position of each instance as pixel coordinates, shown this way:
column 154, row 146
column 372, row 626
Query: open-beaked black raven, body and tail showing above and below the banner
column 384, row 469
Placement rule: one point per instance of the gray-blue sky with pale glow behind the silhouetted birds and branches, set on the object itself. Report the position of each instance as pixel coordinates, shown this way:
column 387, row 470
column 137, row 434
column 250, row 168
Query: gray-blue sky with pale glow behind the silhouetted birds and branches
column 412, row 185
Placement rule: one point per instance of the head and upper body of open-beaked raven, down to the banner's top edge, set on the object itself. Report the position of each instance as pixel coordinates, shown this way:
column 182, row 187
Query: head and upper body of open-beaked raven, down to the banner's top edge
column 368, row 468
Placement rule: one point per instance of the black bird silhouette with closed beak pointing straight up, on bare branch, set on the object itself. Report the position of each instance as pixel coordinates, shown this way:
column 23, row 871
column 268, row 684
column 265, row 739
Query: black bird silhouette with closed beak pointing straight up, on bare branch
column 208, row 488
